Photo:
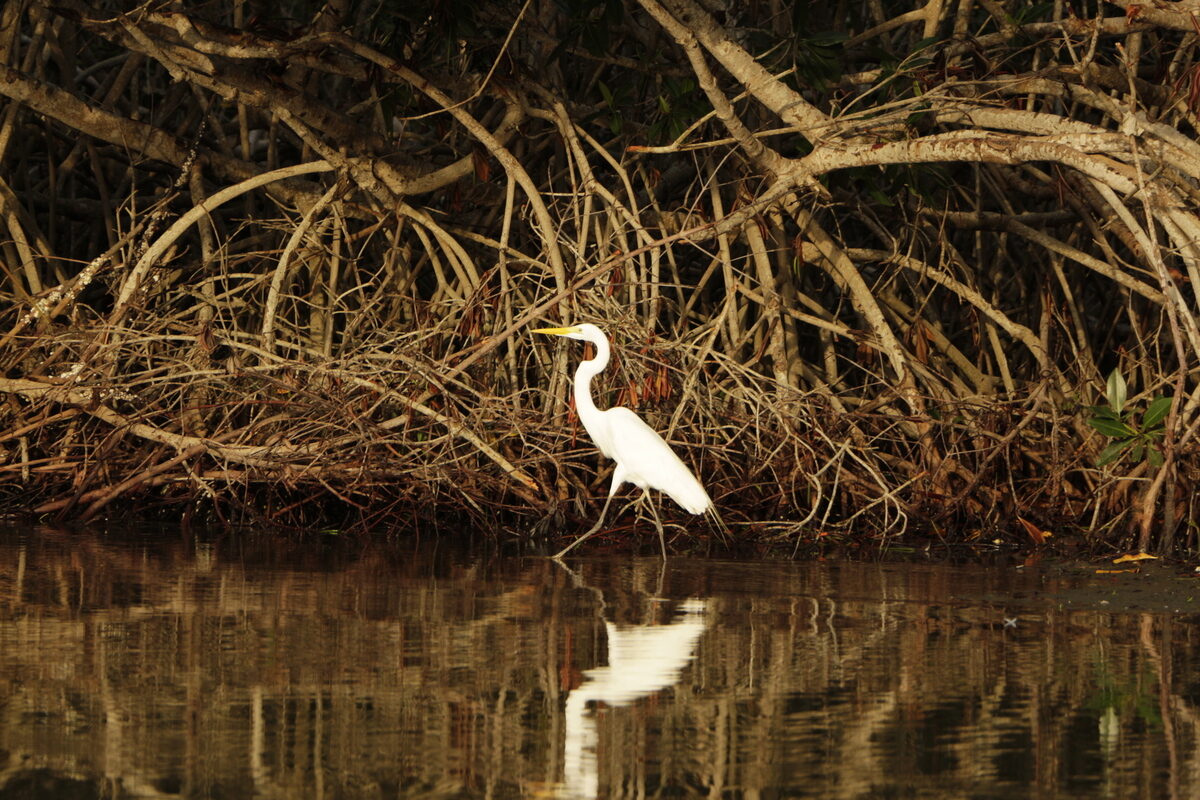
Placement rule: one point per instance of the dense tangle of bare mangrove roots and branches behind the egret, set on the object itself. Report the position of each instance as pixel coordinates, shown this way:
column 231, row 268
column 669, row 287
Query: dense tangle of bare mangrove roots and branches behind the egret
column 873, row 269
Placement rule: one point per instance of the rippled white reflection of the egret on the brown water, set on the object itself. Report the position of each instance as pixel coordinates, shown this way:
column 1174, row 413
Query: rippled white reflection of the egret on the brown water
column 643, row 660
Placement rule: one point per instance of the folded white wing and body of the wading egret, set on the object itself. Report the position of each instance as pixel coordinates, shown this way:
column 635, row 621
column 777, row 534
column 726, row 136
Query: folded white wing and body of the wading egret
column 650, row 462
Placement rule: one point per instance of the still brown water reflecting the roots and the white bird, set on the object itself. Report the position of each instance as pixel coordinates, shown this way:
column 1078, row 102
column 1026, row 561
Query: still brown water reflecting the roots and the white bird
column 242, row 666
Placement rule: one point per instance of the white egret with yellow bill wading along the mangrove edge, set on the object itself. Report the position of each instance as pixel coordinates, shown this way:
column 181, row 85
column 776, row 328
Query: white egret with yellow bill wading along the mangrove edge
column 643, row 456
